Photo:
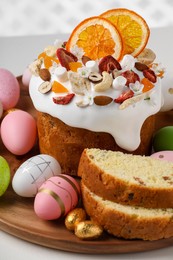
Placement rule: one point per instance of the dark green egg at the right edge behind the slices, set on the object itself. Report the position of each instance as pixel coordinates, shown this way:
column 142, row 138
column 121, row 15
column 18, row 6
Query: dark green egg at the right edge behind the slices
column 163, row 139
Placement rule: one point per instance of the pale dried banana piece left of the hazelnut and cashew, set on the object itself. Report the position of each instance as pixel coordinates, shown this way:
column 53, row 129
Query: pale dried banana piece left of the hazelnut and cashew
column 79, row 84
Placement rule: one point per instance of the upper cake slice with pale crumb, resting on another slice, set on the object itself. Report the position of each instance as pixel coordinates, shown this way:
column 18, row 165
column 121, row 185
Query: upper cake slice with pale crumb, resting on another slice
column 127, row 179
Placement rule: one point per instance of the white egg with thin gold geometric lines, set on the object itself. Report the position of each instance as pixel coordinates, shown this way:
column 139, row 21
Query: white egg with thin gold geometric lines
column 33, row 173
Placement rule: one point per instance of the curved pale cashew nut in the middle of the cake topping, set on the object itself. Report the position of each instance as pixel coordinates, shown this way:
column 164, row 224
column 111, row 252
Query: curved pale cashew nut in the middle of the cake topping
column 105, row 84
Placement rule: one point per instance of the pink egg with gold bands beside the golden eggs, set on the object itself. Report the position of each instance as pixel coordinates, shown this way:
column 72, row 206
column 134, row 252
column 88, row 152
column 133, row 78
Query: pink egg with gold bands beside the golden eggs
column 56, row 197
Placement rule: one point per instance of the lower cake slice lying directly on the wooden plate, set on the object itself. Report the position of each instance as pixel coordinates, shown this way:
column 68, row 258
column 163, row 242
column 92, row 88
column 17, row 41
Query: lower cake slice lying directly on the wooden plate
column 129, row 222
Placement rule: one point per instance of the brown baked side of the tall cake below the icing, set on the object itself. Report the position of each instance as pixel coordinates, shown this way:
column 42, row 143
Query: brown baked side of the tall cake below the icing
column 66, row 143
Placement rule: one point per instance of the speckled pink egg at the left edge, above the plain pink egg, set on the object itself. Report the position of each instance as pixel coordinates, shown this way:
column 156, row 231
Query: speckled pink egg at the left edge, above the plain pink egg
column 9, row 89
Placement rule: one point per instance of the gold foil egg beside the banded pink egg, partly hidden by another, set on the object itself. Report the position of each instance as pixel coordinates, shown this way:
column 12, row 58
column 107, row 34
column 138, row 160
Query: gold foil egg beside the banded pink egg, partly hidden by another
column 74, row 217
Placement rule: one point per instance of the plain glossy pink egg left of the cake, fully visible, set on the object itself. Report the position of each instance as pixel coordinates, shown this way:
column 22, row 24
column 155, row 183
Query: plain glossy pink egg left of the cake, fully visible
column 19, row 132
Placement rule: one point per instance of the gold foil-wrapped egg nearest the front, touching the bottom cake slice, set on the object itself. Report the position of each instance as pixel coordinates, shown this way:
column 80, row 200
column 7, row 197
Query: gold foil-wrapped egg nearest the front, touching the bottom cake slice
column 88, row 230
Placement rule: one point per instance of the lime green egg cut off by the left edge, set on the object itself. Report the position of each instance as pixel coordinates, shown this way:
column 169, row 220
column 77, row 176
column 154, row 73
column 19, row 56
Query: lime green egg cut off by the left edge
column 4, row 175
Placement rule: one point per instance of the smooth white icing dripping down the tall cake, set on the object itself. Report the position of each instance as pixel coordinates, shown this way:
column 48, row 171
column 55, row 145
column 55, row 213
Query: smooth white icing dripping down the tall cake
column 123, row 124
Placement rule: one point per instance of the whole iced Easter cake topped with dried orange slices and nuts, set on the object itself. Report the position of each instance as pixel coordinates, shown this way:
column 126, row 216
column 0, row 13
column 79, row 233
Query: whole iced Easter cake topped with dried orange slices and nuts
column 100, row 89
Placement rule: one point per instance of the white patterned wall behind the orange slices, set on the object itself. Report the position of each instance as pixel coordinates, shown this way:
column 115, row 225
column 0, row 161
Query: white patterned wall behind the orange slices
column 31, row 17
